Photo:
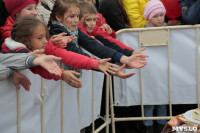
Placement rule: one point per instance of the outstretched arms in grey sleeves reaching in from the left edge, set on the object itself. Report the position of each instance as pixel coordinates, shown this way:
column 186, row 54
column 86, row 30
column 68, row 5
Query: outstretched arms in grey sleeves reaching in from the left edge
column 11, row 62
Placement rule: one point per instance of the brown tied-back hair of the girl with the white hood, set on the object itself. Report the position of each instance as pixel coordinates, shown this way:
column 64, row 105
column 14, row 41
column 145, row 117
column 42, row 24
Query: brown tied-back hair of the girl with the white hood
column 23, row 29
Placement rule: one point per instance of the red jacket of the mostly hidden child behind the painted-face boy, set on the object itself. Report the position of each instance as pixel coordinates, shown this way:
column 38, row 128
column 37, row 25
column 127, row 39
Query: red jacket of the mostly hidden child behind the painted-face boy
column 101, row 20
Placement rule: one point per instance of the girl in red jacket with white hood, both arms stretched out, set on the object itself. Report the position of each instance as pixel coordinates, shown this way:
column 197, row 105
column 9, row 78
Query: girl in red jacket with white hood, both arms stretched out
column 30, row 34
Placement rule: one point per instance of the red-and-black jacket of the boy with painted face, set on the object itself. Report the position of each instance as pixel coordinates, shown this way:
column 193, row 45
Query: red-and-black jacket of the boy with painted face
column 107, row 40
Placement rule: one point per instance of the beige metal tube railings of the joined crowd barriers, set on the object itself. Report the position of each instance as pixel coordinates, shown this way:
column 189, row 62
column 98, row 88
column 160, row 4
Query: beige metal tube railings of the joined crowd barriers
column 109, row 94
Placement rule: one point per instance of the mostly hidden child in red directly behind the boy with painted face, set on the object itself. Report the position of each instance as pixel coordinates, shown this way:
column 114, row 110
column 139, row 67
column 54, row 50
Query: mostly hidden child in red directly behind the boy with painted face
column 101, row 21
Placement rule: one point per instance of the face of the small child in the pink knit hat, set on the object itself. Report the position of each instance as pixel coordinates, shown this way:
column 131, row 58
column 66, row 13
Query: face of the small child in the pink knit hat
column 158, row 19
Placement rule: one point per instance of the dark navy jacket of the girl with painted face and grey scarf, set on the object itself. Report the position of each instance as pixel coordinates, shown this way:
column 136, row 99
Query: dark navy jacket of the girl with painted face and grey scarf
column 88, row 43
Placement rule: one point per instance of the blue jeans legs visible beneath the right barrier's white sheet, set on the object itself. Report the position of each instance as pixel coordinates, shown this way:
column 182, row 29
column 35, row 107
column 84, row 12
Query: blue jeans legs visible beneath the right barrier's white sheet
column 148, row 112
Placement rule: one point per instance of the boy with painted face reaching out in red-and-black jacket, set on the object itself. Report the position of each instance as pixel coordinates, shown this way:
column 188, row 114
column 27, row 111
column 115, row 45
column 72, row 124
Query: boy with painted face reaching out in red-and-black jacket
column 87, row 24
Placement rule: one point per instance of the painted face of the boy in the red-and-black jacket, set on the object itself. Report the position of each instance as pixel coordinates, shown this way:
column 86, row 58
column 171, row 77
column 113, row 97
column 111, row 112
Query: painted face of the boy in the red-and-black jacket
column 88, row 21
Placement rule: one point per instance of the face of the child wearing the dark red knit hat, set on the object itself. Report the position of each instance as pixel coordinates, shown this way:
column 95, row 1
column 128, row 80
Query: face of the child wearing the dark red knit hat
column 28, row 11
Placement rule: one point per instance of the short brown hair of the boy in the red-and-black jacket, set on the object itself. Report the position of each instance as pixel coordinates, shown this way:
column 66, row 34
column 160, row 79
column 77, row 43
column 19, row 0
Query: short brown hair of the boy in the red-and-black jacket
column 86, row 7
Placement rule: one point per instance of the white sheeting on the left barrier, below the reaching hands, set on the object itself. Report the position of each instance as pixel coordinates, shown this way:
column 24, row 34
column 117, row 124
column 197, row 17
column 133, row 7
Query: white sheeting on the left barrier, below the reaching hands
column 31, row 105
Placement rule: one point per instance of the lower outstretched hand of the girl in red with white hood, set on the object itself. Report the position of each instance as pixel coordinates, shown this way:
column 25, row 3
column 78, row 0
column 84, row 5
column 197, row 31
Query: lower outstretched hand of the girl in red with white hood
column 70, row 78
